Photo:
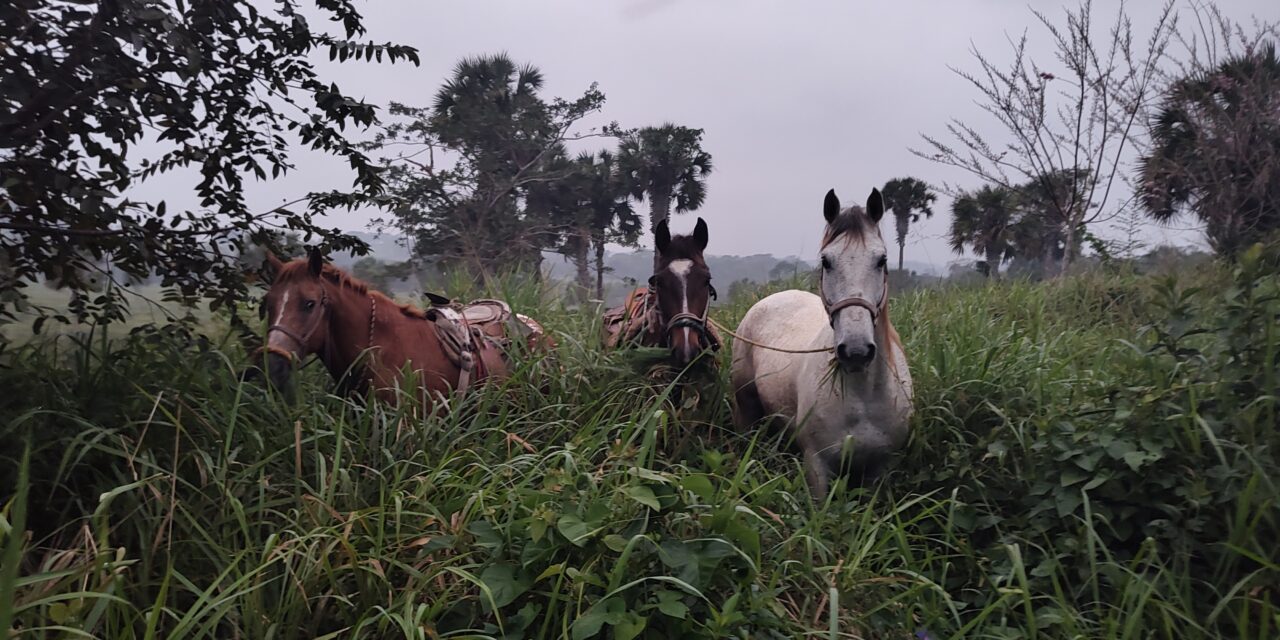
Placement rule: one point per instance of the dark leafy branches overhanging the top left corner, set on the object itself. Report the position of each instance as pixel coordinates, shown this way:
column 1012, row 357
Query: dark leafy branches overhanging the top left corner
column 95, row 99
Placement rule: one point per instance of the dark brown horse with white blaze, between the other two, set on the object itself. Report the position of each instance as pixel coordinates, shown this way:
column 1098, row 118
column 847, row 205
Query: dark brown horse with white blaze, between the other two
column 671, row 312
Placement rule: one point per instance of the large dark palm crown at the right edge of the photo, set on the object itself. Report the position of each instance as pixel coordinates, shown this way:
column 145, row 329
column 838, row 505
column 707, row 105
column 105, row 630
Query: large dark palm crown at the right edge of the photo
column 1214, row 153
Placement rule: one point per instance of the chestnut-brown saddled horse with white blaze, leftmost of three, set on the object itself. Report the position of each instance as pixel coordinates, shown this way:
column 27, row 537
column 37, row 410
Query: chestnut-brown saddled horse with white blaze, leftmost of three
column 365, row 339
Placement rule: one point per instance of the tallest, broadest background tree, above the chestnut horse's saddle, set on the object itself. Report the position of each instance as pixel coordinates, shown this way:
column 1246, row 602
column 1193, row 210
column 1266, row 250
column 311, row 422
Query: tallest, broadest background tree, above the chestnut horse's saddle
column 482, row 175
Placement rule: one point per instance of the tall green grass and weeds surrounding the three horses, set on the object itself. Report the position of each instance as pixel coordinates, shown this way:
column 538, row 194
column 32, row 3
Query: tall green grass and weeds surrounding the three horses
column 1094, row 458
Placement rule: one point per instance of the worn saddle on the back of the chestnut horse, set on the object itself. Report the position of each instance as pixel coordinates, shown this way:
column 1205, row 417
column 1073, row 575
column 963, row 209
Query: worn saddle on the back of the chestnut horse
column 469, row 331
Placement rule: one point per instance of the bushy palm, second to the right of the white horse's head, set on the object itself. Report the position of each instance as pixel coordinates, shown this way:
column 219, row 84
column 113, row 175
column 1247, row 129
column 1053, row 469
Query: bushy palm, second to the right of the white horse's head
column 982, row 221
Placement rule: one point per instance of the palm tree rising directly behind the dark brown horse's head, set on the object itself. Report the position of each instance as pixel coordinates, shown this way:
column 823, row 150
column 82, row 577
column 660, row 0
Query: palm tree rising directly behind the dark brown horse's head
column 666, row 163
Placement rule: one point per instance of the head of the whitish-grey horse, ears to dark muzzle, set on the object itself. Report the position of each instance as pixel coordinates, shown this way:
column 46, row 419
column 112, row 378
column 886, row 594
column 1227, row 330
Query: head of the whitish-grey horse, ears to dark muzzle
column 854, row 266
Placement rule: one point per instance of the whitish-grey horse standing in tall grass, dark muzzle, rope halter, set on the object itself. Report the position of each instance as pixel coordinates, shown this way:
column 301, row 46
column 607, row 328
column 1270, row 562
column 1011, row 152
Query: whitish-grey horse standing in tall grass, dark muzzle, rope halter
column 848, row 415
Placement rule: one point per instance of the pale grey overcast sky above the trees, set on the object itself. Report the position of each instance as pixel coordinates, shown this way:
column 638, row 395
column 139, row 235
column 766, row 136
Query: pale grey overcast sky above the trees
column 796, row 98
